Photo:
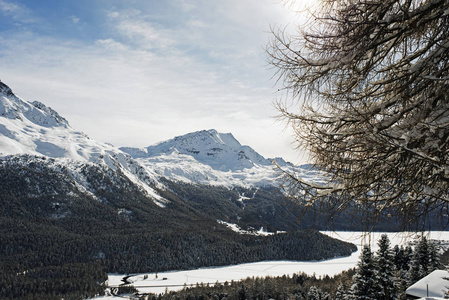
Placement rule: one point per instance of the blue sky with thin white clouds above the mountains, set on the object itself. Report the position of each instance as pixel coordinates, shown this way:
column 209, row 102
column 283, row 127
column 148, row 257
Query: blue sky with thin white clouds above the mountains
column 136, row 72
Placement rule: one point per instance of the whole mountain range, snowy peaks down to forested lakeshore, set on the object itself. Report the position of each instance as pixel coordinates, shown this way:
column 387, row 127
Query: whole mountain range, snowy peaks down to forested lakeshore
column 72, row 208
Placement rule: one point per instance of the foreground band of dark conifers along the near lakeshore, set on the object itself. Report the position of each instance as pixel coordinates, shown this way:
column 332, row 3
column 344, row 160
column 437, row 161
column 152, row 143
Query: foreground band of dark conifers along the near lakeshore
column 383, row 275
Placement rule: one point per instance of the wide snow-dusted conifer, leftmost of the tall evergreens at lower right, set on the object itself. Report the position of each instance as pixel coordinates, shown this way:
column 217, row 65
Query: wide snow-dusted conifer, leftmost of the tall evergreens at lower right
column 364, row 283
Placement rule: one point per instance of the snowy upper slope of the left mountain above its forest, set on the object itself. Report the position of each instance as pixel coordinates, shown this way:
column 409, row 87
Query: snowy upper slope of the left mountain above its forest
column 37, row 130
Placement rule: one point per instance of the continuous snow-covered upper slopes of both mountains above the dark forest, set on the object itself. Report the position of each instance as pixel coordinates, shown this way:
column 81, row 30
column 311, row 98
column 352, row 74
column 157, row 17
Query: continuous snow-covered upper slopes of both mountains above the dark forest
column 203, row 157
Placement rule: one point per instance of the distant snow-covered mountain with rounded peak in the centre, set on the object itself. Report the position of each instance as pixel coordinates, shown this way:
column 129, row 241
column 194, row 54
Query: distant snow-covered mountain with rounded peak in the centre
column 208, row 157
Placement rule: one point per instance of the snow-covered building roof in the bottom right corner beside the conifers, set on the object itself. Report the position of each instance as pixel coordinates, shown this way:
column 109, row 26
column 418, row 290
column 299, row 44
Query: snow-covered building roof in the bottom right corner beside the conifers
column 432, row 287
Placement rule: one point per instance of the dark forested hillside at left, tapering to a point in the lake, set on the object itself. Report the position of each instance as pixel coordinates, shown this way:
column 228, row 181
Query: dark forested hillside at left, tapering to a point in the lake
column 51, row 228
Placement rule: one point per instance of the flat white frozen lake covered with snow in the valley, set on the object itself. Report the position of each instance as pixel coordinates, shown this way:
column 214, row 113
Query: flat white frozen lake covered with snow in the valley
column 175, row 280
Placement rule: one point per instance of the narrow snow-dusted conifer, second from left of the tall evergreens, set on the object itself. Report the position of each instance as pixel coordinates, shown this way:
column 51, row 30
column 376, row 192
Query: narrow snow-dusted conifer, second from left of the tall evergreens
column 386, row 268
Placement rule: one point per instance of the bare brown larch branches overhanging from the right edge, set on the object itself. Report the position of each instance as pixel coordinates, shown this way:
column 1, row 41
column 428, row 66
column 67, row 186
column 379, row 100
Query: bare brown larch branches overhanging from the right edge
column 370, row 79
